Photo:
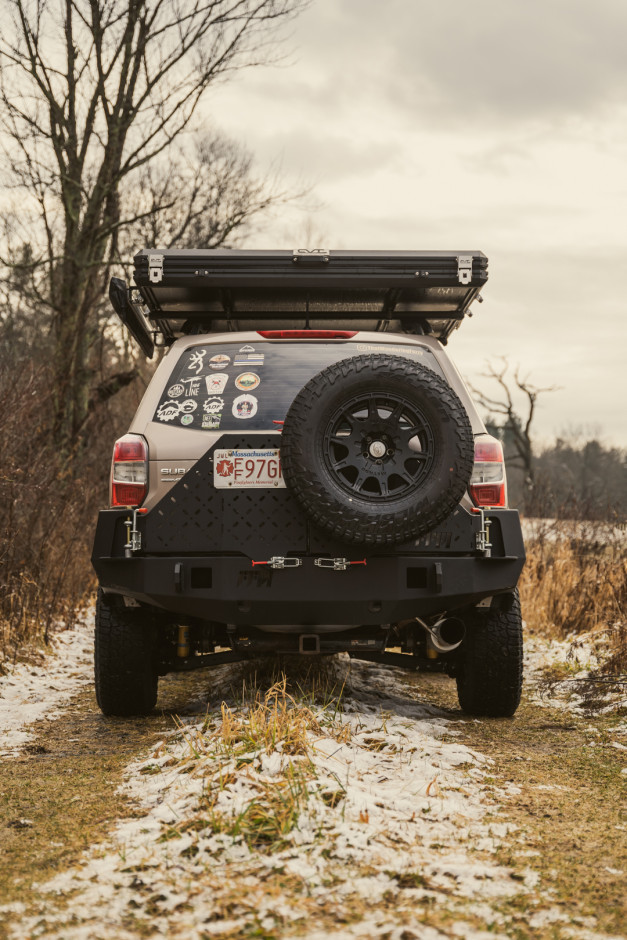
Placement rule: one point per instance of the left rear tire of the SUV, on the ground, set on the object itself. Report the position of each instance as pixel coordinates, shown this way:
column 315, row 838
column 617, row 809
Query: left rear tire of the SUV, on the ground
column 124, row 659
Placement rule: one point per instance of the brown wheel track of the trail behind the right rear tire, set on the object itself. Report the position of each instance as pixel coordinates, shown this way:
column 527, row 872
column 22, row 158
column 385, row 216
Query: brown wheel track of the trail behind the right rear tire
column 572, row 808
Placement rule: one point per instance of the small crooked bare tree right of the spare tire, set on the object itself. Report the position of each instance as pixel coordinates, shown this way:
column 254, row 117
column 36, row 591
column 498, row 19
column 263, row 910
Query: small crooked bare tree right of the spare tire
column 515, row 423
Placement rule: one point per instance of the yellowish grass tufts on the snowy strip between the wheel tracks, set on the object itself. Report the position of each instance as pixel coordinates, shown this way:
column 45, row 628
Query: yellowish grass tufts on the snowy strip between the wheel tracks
column 244, row 797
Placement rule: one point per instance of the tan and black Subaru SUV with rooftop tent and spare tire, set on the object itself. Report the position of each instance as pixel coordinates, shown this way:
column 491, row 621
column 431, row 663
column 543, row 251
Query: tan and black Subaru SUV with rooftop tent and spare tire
column 306, row 474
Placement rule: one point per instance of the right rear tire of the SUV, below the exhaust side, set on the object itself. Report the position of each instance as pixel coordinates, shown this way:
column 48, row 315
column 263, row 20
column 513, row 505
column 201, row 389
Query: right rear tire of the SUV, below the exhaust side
column 490, row 678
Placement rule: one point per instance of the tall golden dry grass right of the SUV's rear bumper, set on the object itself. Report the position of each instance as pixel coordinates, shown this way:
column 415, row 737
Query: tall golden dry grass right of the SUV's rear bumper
column 575, row 581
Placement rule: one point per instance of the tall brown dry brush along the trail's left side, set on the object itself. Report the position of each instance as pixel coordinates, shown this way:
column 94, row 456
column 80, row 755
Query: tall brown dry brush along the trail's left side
column 48, row 506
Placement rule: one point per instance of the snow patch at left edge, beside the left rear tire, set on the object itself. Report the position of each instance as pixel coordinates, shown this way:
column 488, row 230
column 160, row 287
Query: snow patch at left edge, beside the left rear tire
column 29, row 692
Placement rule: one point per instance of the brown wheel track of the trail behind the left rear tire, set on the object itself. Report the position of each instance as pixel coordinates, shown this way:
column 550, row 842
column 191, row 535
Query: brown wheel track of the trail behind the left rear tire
column 59, row 796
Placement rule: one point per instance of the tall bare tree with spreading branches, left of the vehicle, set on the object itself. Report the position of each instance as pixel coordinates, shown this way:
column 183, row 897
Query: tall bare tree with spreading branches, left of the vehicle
column 91, row 93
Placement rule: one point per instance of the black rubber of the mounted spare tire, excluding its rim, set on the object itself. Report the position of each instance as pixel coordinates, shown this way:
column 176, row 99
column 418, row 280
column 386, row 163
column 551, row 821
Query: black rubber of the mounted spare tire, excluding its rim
column 388, row 520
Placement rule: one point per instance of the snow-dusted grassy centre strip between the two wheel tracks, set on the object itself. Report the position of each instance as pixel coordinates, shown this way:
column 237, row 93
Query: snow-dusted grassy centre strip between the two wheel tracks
column 365, row 822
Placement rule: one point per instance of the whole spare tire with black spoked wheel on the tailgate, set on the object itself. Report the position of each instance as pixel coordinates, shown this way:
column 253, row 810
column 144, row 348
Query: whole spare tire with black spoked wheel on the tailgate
column 378, row 449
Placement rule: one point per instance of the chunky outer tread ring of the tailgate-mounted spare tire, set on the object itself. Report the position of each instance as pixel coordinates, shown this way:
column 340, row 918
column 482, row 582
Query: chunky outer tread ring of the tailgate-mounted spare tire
column 424, row 515
